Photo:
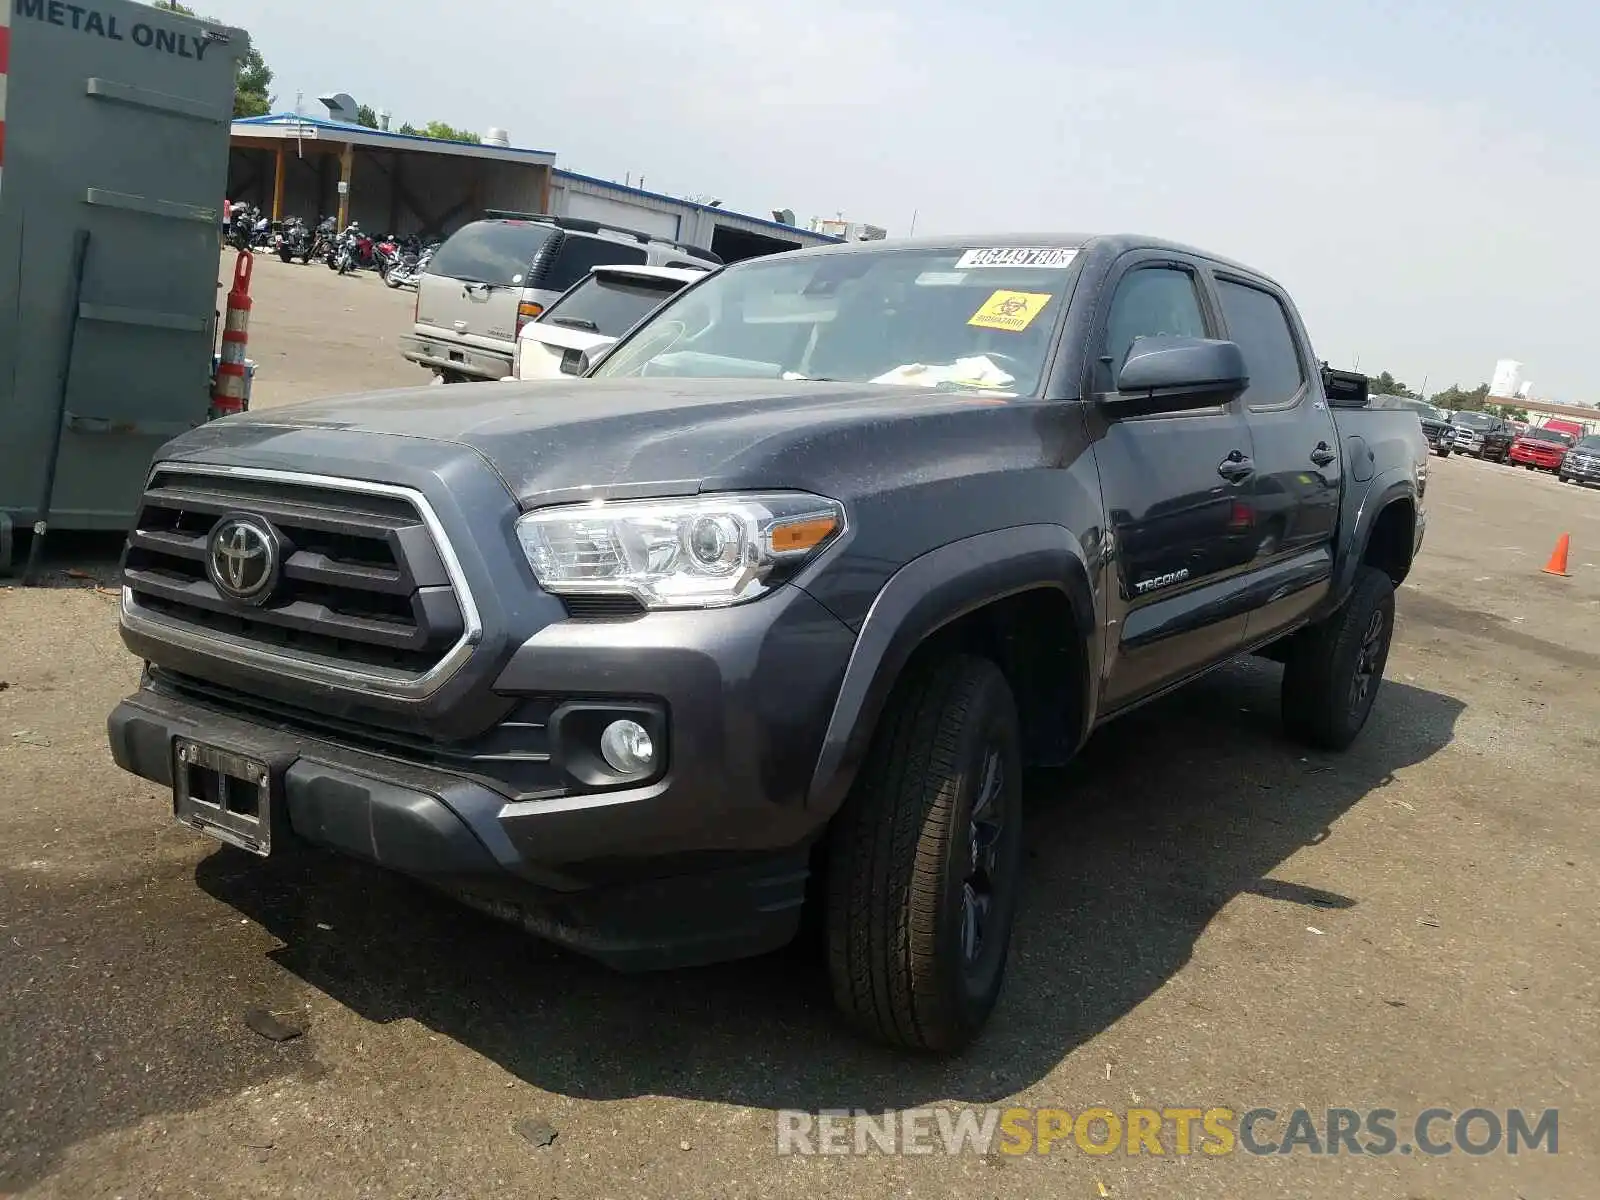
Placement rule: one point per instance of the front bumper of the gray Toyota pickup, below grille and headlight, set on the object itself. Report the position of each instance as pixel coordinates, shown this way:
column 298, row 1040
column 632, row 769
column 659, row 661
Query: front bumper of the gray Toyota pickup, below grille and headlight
column 705, row 863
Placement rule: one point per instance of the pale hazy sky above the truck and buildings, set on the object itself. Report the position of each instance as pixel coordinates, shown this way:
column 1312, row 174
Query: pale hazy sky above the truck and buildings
column 1420, row 175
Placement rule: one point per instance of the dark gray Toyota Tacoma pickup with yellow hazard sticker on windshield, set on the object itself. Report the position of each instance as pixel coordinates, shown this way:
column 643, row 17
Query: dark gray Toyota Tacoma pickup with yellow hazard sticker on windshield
column 769, row 612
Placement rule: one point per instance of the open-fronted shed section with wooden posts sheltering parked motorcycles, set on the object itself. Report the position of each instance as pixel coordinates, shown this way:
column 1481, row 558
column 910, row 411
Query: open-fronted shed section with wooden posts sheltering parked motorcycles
column 294, row 166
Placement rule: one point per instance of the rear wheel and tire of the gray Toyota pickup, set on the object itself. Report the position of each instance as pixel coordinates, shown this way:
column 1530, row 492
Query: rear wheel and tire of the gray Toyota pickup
column 1334, row 671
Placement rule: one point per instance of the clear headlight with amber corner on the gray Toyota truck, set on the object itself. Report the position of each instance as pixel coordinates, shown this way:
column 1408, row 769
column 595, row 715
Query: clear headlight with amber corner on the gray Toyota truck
column 694, row 553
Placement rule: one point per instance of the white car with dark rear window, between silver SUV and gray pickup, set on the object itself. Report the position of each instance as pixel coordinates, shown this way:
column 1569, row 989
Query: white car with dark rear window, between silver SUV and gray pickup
column 593, row 314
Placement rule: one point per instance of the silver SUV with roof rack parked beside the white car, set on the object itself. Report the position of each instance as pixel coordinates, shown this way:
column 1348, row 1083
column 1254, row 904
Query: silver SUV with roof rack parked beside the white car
column 495, row 276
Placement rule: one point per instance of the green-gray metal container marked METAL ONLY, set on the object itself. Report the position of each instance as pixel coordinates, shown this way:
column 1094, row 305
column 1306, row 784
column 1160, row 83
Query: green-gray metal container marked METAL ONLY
column 116, row 122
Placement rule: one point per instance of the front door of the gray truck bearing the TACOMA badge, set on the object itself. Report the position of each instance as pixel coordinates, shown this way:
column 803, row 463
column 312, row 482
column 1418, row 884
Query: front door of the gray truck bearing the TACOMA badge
column 1177, row 492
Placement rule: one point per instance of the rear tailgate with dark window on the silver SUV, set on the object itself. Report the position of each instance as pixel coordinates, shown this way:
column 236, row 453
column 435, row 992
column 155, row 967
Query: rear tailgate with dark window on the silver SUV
column 474, row 282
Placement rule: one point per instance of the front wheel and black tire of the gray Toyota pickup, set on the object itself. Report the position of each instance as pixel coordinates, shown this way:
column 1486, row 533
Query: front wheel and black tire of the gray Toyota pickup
column 918, row 921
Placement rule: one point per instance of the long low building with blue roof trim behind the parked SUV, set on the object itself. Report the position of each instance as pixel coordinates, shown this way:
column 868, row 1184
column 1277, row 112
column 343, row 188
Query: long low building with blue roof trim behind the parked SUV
column 294, row 166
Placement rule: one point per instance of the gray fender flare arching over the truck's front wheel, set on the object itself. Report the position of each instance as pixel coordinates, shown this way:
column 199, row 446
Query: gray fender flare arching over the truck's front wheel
column 926, row 596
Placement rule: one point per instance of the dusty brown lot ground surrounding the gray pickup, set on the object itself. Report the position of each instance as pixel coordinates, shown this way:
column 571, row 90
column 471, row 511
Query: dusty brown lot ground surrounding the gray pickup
column 1214, row 918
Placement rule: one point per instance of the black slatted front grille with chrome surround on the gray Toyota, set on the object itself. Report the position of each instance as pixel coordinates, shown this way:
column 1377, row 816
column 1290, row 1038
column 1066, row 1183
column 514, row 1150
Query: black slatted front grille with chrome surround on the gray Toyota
column 359, row 582
